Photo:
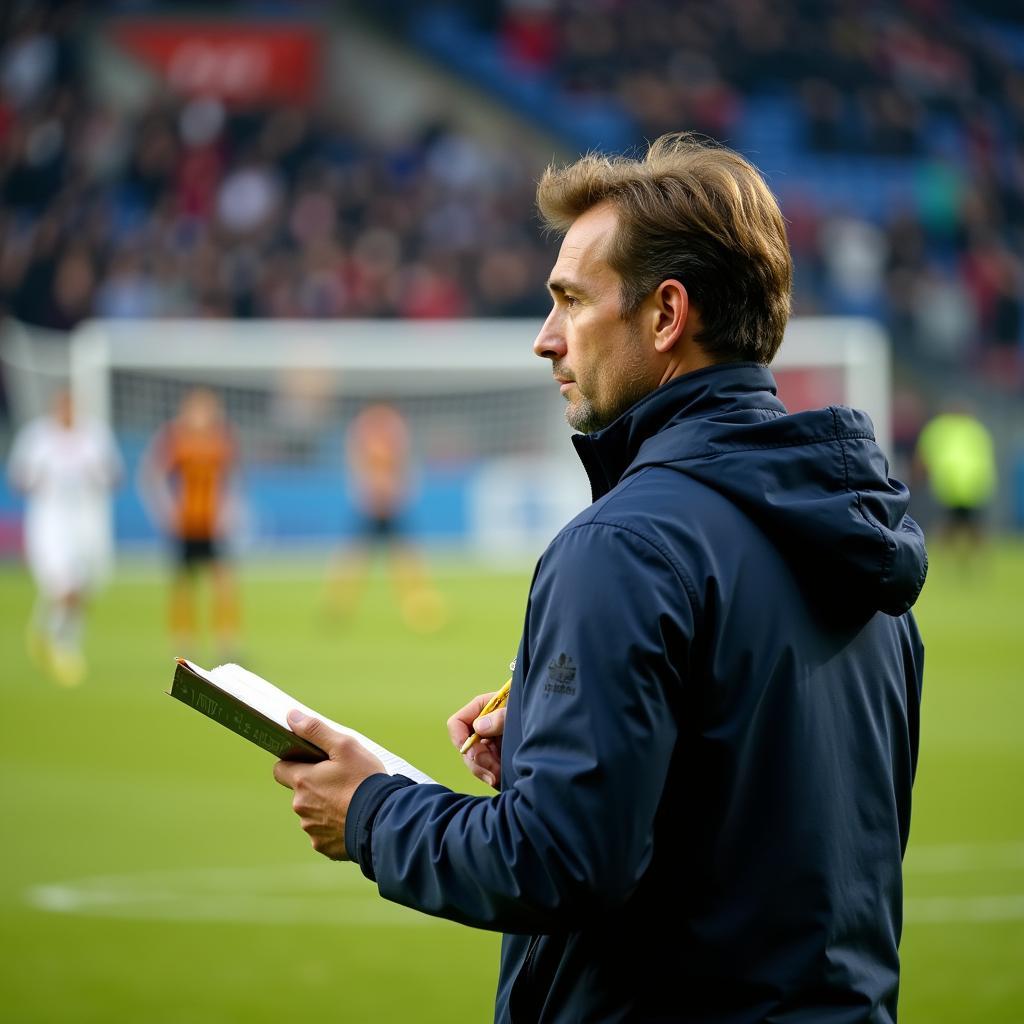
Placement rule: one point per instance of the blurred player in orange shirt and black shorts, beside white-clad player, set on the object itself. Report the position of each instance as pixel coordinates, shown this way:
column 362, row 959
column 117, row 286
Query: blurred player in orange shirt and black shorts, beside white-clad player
column 187, row 481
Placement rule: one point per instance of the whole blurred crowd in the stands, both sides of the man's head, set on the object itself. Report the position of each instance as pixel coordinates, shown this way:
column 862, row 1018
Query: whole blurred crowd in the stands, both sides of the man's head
column 188, row 208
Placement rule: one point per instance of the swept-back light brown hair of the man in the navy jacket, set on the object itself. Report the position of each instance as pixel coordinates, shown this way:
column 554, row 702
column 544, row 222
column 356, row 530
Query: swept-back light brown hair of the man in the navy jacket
column 698, row 214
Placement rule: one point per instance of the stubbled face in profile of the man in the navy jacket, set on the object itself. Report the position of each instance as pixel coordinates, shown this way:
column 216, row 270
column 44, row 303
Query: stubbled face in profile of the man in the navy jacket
column 598, row 358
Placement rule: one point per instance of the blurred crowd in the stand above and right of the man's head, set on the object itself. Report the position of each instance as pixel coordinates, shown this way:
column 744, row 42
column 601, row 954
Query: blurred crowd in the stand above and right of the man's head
column 930, row 82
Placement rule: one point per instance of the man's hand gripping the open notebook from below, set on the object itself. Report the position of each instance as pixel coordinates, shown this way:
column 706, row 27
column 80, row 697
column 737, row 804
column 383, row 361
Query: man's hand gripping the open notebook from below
column 324, row 791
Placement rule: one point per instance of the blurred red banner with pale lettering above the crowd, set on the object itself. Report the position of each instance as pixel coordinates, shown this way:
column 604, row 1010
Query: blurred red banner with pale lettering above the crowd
column 239, row 64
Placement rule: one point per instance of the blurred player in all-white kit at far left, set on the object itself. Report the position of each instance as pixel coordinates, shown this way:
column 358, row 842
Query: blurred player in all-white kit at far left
column 66, row 470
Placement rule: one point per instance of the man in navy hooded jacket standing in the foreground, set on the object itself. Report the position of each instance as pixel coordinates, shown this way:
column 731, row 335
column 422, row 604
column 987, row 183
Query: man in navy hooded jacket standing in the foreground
column 707, row 757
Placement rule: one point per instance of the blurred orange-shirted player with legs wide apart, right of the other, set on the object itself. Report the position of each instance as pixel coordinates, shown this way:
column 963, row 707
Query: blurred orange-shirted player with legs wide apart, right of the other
column 378, row 456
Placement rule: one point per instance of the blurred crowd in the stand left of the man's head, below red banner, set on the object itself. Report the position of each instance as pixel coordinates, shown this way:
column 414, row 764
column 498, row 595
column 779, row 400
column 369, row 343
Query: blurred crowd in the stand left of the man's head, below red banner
column 191, row 209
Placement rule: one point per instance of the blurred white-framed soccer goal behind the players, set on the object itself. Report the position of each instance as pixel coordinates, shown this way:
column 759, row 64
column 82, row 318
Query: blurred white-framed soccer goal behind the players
column 495, row 471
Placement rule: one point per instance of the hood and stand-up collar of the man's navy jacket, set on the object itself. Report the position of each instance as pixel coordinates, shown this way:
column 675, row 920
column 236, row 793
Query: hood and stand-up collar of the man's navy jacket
column 817, row 483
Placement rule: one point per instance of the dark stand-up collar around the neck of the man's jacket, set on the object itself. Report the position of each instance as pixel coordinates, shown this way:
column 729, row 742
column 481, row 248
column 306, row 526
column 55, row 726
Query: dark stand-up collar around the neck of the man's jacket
column 609, row 454
